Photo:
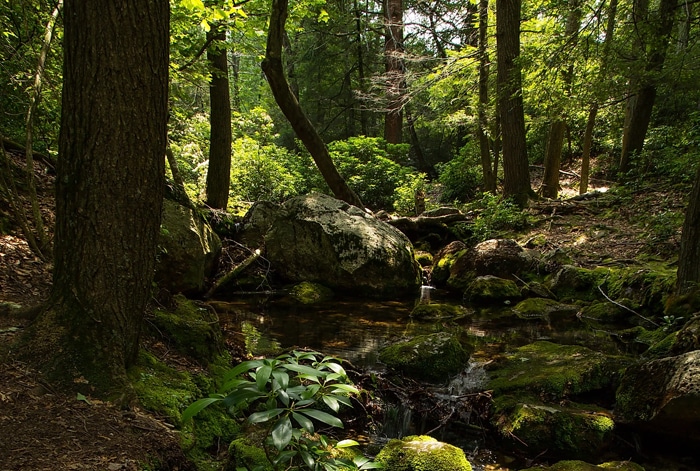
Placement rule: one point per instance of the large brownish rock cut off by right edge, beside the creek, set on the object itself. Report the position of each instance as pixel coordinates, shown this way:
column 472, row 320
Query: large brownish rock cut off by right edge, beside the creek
column 663, row 396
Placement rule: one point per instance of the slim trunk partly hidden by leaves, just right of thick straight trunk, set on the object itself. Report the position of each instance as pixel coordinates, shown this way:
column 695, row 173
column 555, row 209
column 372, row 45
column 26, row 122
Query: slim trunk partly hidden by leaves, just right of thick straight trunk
column 555, row 141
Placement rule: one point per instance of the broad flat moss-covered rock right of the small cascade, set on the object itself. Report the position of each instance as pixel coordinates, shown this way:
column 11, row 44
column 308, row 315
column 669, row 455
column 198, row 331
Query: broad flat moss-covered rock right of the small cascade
column 554, row 371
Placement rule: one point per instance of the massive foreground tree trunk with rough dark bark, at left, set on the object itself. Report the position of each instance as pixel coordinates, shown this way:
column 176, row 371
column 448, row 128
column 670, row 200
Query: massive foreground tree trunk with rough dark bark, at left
column 109, row 189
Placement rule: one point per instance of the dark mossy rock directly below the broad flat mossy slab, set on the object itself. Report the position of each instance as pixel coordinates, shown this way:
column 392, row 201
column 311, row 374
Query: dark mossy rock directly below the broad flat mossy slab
column 571, row 430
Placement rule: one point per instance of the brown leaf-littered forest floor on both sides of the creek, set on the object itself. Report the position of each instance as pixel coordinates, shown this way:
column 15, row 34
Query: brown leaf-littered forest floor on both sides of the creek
column 46, row 429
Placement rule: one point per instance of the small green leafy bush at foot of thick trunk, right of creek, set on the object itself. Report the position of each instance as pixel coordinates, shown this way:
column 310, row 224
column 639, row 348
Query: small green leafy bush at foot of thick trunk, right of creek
column 496, row 217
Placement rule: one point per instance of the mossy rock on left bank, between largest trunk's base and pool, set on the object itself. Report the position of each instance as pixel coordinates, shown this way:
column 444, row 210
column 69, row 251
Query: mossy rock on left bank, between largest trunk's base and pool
column 192, row 329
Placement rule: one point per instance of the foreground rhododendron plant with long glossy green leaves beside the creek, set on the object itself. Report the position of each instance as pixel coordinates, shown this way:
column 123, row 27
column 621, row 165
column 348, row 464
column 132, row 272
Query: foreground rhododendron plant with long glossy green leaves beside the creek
column 291, row 395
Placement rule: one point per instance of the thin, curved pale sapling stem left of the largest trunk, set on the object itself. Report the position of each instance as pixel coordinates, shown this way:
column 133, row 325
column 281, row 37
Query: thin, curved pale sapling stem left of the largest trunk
column 44, row 243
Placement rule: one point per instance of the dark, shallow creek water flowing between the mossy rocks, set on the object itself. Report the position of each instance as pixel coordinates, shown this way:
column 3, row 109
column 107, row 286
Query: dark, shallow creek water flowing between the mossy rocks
column 356, row 329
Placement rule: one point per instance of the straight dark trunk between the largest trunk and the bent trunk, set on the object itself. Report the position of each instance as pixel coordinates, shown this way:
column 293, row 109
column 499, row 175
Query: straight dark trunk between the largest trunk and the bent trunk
column 219, row 171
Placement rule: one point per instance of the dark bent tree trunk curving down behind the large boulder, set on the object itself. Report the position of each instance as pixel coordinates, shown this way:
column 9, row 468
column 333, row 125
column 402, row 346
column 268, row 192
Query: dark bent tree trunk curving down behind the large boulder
column 288, row 103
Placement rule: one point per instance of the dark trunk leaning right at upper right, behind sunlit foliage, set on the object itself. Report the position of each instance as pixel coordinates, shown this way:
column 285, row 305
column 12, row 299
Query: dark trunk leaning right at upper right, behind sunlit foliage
column 641, row 102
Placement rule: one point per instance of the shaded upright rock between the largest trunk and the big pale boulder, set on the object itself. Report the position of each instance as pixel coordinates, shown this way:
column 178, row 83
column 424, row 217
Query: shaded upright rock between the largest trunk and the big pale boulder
column 188, row 250
